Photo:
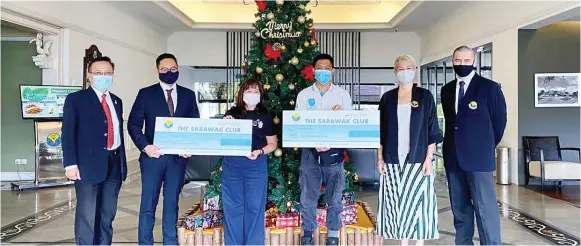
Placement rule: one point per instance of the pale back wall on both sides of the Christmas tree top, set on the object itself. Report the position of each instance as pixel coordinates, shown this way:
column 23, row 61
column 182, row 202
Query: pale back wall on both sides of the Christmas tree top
column 208, row 48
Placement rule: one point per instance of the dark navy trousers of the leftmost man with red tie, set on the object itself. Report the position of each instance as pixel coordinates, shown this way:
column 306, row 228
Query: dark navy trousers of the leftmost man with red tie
column 97, row 206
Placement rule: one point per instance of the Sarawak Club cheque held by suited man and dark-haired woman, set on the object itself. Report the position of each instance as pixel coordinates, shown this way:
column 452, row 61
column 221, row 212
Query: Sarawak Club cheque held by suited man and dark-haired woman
column 203, row 136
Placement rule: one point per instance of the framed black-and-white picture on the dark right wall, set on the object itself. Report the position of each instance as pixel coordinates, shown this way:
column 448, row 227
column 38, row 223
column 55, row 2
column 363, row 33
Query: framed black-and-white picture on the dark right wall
column 557, row 90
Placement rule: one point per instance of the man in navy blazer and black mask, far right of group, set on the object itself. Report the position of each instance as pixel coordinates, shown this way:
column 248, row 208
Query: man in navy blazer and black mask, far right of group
column 475, row 113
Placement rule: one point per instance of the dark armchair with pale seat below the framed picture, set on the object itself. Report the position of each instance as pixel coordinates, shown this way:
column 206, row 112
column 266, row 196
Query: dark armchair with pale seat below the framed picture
column 543, row 161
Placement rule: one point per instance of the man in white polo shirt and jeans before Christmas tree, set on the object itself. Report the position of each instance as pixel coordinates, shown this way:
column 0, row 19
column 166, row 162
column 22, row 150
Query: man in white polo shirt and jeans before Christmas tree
column 322, row 165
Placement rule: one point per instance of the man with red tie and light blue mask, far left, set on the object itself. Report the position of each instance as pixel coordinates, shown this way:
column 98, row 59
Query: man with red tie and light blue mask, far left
column 94, row 153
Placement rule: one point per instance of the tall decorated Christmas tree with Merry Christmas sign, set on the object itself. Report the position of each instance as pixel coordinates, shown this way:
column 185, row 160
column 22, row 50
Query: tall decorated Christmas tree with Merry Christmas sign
column 283, row 48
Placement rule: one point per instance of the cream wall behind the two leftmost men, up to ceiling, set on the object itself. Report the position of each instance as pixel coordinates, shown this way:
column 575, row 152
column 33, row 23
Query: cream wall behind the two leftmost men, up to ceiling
column 132, row 44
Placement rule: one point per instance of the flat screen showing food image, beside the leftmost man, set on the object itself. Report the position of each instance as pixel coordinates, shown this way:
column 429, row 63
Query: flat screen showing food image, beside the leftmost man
column 43, row 101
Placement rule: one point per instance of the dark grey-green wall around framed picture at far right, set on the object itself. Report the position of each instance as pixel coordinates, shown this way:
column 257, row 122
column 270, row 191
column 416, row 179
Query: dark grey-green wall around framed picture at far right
column 551, row 49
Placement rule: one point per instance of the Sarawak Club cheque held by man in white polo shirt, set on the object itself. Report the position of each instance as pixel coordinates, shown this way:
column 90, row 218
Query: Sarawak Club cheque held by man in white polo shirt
column 334, row 129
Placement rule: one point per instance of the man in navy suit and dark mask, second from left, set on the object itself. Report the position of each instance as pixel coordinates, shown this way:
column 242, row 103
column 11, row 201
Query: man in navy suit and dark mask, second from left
column 163, row 99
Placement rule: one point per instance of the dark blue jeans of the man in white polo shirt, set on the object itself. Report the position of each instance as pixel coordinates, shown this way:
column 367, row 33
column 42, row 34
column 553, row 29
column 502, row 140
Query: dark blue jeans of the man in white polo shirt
column 312, row 175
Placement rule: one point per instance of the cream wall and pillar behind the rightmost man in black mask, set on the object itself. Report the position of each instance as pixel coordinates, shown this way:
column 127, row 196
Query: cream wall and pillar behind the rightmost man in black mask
column 496, row 22
